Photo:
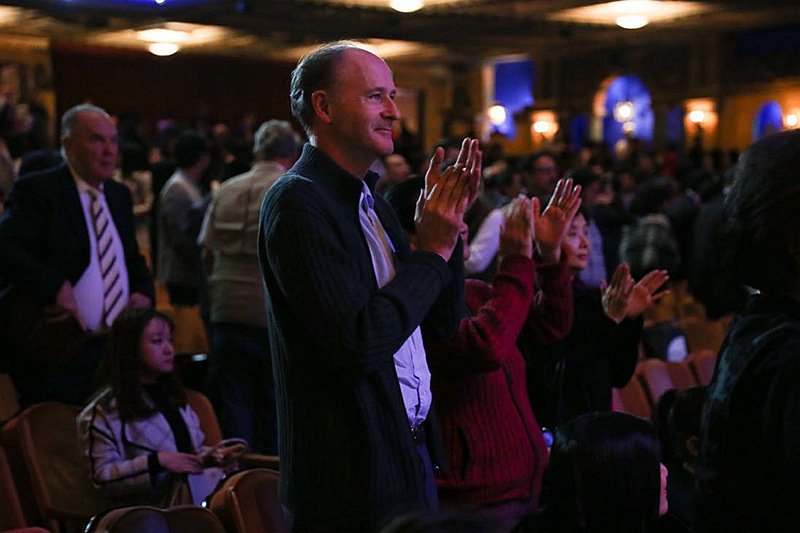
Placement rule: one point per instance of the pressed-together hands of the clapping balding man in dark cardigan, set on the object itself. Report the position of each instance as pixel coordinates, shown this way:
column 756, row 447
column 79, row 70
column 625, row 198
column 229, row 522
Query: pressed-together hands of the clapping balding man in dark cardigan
column 447, row 195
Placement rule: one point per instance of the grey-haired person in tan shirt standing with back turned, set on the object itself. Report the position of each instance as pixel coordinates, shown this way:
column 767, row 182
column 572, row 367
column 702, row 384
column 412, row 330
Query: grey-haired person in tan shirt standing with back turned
column 241, row 369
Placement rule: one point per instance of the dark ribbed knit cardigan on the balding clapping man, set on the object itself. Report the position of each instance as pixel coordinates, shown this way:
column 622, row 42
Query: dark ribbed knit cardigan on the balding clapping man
column 348, row 460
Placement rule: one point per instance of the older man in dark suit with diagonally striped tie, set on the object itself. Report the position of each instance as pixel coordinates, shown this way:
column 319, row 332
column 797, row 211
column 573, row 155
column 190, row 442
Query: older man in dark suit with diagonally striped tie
column 67, row 242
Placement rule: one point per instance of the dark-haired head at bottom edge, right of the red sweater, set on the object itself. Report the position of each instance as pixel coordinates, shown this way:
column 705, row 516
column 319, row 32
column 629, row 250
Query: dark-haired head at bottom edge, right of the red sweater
column 604, row 475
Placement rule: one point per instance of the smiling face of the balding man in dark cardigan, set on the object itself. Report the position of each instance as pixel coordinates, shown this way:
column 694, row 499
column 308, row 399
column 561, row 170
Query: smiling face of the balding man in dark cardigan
column 362, row 105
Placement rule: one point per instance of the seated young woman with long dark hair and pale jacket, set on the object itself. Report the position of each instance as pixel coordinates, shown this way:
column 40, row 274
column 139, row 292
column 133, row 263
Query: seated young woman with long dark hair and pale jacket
column 141, row 437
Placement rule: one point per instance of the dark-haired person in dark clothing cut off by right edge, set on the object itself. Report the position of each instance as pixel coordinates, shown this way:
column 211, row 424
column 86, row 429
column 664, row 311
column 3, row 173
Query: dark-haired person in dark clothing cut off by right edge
column 750, row 445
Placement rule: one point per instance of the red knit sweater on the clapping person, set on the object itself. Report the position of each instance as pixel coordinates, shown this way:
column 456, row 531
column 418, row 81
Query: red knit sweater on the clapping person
column 493, row 444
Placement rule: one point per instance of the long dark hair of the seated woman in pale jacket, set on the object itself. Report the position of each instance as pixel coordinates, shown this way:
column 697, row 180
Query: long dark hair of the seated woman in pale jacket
column 122, row 363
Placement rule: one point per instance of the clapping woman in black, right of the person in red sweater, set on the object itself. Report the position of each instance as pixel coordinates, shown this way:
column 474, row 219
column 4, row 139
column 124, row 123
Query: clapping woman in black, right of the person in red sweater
column 575, row 376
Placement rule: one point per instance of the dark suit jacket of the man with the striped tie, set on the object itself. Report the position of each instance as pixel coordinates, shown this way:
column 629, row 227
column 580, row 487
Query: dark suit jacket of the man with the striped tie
column 44, row 240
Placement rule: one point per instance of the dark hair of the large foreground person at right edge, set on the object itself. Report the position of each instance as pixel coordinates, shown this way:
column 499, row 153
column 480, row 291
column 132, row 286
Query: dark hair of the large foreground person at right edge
column 763, row 231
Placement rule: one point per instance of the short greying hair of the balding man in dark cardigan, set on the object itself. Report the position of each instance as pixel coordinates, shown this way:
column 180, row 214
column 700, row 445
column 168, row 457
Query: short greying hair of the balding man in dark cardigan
column 315, row 72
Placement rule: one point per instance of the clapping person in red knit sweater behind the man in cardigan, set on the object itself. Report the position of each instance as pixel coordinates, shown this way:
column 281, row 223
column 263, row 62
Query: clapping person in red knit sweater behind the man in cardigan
column 491, row 439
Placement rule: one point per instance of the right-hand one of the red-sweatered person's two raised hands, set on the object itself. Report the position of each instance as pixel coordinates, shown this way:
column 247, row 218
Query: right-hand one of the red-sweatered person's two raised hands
column 551, row 226
